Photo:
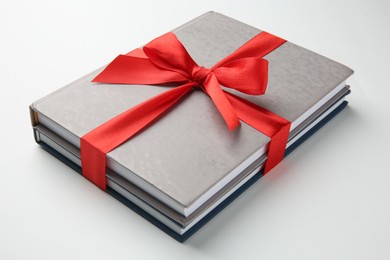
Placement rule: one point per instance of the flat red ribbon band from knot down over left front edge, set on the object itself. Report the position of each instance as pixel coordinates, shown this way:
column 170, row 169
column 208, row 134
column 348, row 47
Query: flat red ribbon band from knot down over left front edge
column 97, row 143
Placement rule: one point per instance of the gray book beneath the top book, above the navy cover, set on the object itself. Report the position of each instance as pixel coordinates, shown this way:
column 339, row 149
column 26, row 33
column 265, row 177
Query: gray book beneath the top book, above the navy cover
column 175, row 221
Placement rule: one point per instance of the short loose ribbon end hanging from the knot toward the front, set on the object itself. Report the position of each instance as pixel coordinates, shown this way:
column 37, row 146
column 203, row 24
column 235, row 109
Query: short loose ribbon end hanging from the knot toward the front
column 214, row 90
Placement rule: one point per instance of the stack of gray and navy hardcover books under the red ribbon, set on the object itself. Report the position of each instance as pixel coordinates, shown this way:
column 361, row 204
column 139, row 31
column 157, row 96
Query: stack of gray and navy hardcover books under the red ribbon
column 186, row 167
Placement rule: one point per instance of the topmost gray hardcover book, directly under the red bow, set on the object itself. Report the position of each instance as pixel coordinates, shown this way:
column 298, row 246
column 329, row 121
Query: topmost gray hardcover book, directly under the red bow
column 189, row 153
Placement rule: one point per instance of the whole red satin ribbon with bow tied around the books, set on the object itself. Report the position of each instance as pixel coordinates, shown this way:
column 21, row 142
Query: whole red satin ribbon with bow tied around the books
column 165, row 60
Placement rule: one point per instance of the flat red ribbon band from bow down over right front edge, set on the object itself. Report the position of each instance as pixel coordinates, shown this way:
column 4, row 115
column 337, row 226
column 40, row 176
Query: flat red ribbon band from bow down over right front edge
column 270, row 124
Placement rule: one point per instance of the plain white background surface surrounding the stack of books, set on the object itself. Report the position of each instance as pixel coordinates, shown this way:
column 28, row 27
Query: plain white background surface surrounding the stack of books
column 330, row 199
